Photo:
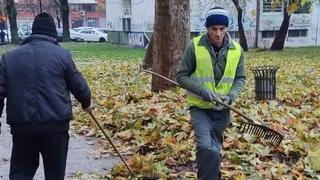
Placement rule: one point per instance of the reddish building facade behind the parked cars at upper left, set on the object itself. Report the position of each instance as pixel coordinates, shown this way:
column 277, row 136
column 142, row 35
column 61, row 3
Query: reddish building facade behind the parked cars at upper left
column 81, row 12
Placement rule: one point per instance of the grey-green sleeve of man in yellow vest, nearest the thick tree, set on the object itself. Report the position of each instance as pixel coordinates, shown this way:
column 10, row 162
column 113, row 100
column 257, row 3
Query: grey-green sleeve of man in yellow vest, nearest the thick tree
column 186, row 68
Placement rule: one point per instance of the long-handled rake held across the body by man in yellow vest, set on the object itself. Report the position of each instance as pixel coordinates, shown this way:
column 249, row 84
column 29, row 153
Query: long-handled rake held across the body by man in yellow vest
column 248, row 126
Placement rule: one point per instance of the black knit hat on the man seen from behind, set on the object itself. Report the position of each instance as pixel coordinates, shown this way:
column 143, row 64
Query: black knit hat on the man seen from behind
column 44, row 24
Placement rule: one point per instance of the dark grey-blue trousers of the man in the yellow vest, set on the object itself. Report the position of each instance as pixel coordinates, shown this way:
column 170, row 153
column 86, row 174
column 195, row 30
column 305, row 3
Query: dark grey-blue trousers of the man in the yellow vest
column 209, row 126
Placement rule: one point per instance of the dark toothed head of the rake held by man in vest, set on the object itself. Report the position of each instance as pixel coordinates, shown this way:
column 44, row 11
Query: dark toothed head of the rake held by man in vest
column 261, row 131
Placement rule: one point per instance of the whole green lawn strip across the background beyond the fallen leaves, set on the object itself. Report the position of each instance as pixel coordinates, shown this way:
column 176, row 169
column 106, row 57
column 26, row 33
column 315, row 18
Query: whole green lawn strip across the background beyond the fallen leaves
column 103, row 51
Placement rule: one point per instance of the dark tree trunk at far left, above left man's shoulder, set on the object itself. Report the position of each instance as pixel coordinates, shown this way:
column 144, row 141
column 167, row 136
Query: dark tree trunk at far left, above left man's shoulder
column 12, row 15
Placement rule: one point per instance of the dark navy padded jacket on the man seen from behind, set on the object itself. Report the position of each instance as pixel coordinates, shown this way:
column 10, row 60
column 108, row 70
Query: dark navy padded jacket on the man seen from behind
column 37, row 78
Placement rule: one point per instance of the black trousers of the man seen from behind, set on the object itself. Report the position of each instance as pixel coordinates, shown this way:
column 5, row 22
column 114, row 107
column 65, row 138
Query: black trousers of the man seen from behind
column 27, row 148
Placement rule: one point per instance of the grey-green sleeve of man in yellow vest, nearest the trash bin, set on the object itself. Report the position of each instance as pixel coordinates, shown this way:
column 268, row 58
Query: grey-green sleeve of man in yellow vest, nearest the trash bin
column 239, row 80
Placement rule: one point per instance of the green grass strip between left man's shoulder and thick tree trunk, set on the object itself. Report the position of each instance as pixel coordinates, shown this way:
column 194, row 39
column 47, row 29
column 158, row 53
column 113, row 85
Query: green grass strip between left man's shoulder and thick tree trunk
column 102, row 51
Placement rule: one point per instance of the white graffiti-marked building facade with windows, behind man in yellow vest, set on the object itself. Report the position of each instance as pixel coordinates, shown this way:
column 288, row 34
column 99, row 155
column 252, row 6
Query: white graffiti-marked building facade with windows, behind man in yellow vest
column 261, row 20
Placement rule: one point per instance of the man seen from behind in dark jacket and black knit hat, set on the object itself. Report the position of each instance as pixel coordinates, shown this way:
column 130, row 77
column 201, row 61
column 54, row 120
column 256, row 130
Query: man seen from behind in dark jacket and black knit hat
column 37, row 78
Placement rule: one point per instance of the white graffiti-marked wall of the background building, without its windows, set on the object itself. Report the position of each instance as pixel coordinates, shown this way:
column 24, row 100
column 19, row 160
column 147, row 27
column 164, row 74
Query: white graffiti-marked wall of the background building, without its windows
column 142, row 18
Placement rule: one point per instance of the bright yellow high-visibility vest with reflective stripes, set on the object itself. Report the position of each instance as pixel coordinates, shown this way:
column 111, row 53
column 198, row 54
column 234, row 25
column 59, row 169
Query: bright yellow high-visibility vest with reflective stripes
column 204, row 73
